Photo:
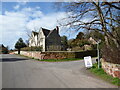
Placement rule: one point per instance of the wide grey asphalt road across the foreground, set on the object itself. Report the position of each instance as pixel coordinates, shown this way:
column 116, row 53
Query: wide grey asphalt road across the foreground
column 21, row 72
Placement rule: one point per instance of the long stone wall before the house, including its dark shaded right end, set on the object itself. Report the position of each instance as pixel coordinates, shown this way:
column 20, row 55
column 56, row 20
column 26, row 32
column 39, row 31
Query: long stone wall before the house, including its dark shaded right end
column 58, row 54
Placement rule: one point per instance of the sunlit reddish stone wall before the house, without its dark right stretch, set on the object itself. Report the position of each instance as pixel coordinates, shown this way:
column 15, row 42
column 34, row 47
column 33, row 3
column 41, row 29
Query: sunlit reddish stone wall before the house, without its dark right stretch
column 47, row 55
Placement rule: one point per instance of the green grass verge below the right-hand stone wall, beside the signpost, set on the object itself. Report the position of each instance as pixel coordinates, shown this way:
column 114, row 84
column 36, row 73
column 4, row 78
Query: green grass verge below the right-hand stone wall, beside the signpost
column 100, row 72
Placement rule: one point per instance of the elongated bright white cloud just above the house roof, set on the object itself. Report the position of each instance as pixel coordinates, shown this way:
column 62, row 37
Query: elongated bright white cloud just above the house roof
column 47, row 21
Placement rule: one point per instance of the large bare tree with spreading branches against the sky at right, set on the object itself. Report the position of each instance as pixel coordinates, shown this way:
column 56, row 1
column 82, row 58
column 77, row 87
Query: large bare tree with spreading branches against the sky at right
column 100, row 16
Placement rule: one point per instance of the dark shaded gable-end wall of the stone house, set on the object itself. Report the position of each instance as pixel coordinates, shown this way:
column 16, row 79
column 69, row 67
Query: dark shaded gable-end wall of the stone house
column 53, row 42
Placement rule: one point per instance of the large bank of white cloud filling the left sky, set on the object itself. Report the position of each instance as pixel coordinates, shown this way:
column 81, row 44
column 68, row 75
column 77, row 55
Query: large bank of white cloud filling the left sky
column 15, row 23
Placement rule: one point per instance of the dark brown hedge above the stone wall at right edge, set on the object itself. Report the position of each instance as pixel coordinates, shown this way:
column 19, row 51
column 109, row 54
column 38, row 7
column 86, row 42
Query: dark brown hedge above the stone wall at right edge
column 111, row 53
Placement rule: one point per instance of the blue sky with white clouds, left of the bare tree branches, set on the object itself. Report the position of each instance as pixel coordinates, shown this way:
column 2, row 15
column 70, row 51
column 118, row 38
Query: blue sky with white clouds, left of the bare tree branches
column 17, row 17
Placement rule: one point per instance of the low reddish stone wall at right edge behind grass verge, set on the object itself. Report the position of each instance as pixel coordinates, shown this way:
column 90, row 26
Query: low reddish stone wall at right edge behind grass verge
column 110, row 68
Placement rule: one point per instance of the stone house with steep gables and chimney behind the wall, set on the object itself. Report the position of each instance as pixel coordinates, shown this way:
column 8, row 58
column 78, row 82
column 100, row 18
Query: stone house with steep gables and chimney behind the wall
column 49, row 40
